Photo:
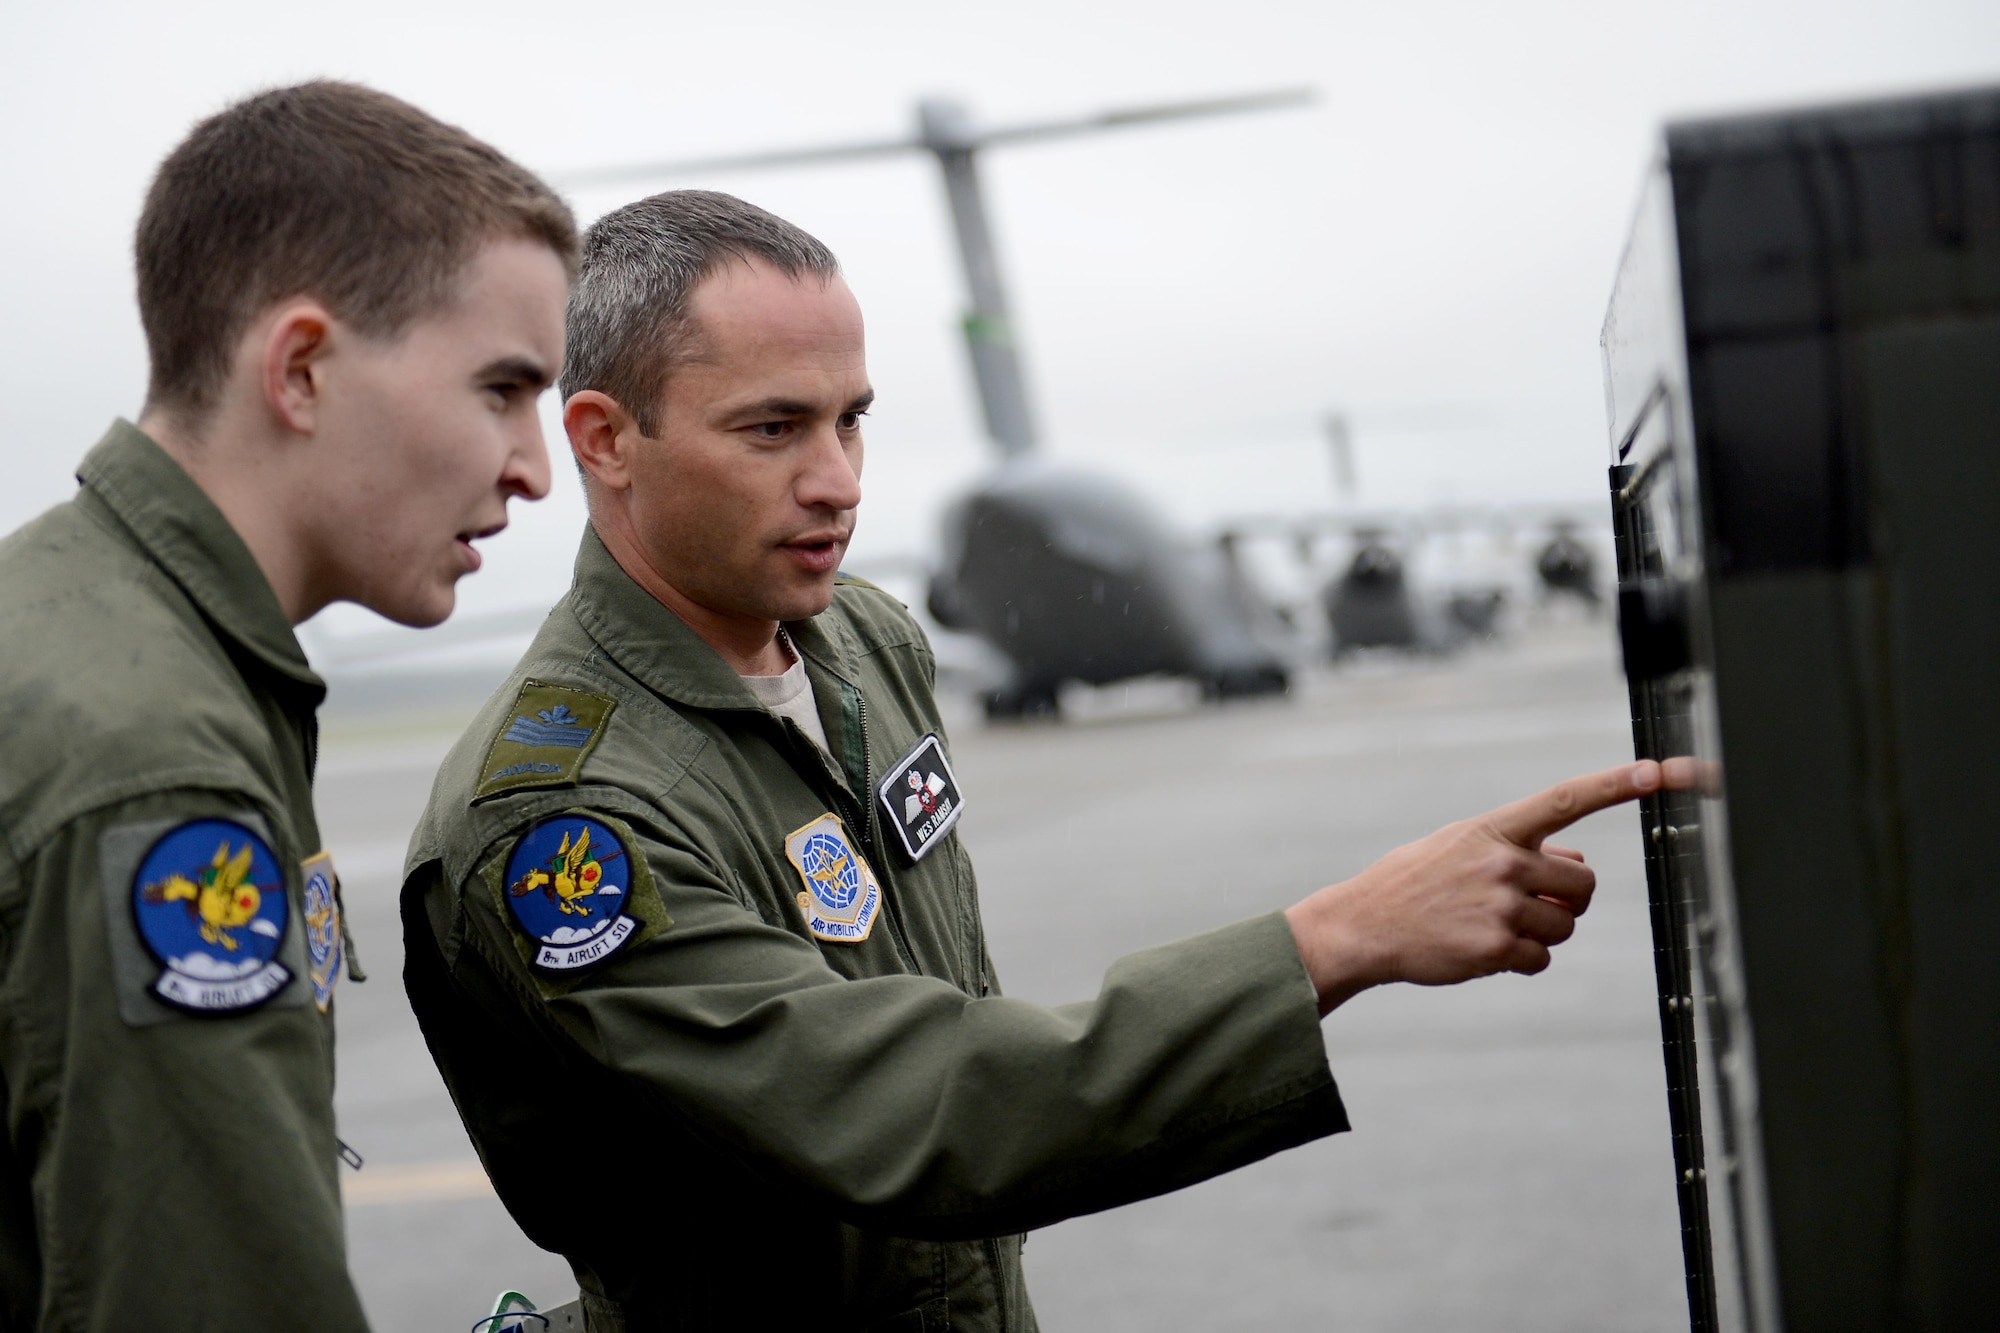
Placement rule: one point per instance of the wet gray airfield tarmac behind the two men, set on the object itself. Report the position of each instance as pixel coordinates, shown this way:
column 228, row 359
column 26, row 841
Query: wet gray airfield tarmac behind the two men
column 1509, row 1164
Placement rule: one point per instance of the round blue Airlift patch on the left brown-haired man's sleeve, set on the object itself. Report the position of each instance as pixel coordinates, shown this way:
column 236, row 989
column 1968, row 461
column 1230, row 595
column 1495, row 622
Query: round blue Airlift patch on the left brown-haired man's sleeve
column 211, row 908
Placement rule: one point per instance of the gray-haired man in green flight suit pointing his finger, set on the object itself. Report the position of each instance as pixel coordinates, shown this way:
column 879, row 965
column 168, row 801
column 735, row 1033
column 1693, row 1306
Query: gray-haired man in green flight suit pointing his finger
column 691, row 934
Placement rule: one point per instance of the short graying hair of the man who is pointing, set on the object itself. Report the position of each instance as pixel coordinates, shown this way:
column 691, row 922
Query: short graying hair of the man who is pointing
column 629, row 311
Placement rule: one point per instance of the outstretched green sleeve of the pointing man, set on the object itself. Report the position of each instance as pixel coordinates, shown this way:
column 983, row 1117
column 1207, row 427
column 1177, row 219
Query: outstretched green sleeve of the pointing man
column 903, row 1102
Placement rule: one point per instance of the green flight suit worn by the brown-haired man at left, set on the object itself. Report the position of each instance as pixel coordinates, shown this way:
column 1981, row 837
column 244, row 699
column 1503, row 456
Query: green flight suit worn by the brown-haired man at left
column 161, row 1170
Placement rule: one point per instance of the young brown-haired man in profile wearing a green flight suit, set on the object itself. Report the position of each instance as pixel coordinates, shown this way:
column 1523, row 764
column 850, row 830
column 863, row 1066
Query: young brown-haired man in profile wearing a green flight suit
column 351, row 311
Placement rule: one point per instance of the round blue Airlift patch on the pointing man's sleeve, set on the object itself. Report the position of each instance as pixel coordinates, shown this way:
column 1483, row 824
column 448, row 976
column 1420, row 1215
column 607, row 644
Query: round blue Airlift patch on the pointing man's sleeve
column 567, row 886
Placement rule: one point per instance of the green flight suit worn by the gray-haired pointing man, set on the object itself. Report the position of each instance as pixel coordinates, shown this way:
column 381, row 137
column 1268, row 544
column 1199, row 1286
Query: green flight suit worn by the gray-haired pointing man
column 731, row 1124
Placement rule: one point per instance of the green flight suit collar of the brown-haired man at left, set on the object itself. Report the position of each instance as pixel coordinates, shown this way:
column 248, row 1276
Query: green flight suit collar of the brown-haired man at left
column 183, row 531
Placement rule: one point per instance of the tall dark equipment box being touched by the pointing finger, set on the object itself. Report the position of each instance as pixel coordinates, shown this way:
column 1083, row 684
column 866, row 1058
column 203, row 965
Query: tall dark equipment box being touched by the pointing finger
column 1803, row 373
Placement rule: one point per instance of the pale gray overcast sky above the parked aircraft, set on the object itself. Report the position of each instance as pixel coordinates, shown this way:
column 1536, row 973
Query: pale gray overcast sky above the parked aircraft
column 1429, row 247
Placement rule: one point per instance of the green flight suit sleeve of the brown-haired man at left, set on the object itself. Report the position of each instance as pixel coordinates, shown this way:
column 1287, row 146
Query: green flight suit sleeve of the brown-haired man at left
column 181, row 1164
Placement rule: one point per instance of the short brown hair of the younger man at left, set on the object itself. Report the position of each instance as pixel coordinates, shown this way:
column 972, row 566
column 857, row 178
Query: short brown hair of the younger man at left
column 329, row 191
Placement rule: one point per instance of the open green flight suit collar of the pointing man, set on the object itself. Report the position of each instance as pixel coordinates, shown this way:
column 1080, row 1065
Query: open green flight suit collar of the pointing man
column 667, row 655
